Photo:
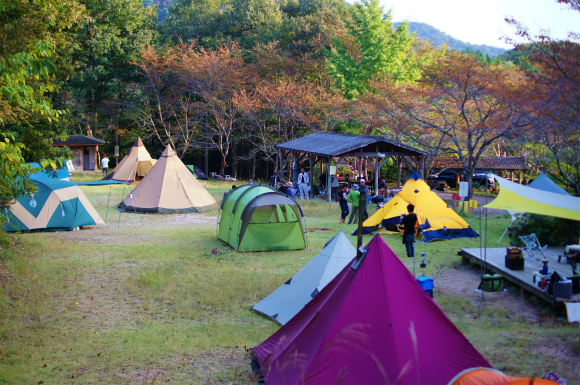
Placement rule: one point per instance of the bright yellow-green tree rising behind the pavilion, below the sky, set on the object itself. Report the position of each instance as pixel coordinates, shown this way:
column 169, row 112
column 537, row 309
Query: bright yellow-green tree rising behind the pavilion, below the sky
column 378, row 51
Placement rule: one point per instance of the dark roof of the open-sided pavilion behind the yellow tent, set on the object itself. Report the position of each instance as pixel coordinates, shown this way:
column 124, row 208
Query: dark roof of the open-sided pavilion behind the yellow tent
column 336, row 144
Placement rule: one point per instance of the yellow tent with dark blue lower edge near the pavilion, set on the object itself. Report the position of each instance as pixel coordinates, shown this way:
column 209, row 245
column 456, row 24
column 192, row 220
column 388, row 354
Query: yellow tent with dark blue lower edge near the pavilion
column 436, row 219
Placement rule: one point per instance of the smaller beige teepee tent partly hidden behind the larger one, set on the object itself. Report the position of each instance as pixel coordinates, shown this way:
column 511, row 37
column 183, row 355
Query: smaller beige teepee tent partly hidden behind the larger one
column 134, row 166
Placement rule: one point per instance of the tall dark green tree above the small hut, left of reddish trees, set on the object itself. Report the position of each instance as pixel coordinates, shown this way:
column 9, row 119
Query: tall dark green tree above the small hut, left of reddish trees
column 112, row 37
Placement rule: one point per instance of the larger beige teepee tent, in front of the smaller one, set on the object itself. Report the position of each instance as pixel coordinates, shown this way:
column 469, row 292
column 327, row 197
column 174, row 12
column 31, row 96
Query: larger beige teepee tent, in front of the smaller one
column 169, row 188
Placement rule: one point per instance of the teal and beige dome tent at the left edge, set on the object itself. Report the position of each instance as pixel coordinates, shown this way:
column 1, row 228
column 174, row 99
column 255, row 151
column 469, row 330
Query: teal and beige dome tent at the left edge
column 58, row 205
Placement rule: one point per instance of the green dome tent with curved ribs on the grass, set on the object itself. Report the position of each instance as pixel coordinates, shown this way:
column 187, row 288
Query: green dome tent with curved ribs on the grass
column 259, row 218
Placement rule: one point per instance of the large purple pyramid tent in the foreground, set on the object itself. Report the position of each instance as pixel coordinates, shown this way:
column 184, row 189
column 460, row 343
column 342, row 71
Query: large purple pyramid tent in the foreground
column 373, row 324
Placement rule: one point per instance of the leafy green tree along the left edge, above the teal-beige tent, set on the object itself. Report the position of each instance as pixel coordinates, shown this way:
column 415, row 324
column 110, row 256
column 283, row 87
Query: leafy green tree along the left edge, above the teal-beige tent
column 29, row 121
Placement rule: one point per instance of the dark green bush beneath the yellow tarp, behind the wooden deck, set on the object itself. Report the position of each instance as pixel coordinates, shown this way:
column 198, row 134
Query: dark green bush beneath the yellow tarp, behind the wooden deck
column 549, row 230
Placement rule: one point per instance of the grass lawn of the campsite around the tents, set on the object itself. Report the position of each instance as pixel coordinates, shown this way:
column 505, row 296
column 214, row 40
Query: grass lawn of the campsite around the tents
column 146, row 300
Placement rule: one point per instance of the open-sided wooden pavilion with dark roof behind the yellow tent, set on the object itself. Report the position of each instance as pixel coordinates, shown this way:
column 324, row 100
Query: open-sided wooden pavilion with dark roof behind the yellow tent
column 325, row 147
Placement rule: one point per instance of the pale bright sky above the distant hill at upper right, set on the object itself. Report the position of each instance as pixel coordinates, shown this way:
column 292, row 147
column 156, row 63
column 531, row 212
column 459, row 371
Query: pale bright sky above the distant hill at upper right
column 483, row 21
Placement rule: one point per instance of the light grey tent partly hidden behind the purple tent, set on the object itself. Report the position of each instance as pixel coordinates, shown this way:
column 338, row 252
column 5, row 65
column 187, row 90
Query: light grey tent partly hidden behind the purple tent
column 286, row 301
